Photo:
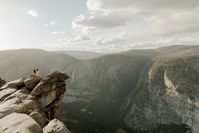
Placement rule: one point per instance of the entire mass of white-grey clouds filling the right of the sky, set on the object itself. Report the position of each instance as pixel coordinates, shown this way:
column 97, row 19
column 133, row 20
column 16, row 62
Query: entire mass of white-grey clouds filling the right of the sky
column 146, row 24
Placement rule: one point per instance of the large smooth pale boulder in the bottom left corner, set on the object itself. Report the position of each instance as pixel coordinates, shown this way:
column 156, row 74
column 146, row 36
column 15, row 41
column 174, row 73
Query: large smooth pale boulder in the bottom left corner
column 19, row 123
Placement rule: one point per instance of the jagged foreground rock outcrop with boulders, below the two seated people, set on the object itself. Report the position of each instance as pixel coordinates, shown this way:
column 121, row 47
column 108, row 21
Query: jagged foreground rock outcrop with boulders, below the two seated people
column 28, row 105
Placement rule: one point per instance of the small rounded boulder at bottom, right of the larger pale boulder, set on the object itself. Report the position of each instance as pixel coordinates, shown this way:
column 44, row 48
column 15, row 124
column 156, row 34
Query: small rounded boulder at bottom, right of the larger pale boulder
column 55, row 126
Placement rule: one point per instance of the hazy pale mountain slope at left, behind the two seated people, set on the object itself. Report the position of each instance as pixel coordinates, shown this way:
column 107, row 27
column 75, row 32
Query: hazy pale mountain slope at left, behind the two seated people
column 18, row 63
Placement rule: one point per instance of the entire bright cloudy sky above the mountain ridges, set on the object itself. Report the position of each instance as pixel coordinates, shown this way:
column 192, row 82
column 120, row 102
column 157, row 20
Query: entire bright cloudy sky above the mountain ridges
column 98, row 25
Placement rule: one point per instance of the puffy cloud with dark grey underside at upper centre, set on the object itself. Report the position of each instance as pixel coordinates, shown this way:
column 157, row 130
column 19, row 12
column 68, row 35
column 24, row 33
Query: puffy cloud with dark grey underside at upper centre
column 99, row 21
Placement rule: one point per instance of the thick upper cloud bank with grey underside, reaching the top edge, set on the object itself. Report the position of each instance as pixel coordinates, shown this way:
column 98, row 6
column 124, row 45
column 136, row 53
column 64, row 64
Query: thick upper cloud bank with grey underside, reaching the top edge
column 107, row 14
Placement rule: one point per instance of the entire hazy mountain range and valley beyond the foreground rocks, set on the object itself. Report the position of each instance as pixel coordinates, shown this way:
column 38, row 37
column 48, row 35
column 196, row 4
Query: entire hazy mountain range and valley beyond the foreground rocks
column 152, row 90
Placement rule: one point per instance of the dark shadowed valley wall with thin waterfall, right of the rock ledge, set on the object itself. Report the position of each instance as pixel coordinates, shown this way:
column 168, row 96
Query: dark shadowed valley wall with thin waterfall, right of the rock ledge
column 98, row 88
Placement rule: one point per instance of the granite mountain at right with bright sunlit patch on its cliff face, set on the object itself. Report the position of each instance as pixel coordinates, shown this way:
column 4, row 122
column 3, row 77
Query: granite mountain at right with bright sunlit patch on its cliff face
column 166, row 94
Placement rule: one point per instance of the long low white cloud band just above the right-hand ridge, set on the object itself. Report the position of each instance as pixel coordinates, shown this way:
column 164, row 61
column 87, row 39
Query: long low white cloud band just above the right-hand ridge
column 130, row 40
